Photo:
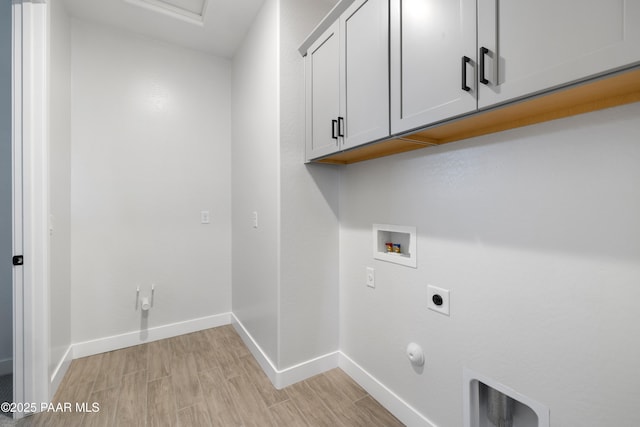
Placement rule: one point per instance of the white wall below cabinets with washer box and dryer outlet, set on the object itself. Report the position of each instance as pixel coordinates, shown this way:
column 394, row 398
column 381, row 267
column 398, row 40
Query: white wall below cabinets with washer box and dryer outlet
column 535, row 232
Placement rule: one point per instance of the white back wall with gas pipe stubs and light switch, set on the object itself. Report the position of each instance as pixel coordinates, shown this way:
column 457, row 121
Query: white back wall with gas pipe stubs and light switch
column 150, row 151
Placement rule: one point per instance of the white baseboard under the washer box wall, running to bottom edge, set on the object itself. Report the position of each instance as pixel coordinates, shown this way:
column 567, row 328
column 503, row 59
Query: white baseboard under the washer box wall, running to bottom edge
column 387, row 398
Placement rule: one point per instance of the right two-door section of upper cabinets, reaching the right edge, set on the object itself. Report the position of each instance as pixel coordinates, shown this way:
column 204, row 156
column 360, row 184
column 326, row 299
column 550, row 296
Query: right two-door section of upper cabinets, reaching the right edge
column 444, row 65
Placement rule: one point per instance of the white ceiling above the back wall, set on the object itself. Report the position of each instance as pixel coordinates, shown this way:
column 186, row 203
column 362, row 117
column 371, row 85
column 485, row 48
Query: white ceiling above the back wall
column 220, row 31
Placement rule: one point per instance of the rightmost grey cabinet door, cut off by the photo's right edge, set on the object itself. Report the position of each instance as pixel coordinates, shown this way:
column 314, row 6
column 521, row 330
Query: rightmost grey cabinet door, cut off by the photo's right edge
column 538, row 45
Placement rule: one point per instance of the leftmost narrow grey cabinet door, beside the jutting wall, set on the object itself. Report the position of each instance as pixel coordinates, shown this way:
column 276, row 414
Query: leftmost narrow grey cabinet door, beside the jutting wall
column 322, row 75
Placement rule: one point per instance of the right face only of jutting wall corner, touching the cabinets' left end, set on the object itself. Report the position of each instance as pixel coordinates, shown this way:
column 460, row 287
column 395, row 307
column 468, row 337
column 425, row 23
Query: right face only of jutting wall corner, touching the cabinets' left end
column 309, row 208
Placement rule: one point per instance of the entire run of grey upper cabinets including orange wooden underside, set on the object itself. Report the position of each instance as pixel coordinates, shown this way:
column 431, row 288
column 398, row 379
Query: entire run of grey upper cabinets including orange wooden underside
column 435, row 71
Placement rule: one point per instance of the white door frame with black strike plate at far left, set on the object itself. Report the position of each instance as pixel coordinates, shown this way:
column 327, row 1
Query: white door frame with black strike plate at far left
column 30, row 148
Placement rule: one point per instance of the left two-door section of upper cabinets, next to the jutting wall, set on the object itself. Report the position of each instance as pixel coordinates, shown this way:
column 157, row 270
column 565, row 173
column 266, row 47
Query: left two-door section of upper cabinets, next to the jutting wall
column 347, row 81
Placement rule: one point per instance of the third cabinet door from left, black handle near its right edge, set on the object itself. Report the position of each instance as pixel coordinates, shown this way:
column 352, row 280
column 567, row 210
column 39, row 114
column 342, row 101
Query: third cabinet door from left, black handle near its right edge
column 429, row 40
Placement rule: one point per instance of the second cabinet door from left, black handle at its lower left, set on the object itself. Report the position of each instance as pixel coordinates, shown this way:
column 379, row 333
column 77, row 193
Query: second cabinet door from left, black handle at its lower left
column 364, row 86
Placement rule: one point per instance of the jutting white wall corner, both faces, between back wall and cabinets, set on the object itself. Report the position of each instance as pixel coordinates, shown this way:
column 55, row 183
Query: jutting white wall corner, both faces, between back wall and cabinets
column 283, row 292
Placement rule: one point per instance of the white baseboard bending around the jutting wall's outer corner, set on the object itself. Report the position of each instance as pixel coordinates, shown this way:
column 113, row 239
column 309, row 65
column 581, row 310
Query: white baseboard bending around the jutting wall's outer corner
column 283, row 378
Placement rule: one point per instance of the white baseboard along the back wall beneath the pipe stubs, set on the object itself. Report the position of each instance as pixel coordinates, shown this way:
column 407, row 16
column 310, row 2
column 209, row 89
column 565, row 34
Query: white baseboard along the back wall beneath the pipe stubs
column 101, row 345
